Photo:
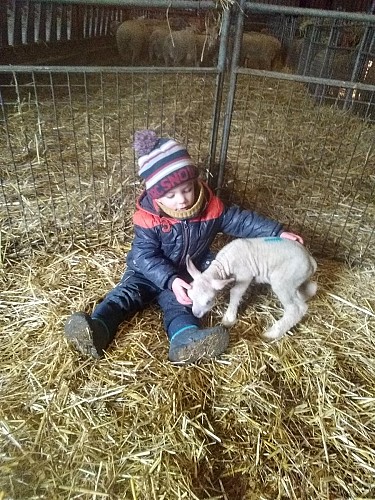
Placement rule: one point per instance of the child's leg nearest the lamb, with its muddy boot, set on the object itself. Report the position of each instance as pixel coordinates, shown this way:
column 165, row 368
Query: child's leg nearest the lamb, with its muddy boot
column 189, row 342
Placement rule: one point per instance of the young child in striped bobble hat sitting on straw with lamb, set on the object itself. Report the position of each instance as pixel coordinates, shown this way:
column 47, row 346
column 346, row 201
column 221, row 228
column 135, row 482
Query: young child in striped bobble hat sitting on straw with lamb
column 176, row 215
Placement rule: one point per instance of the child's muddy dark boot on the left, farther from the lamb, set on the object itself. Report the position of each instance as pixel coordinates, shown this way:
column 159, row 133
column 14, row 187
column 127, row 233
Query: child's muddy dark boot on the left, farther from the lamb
column 88, row 335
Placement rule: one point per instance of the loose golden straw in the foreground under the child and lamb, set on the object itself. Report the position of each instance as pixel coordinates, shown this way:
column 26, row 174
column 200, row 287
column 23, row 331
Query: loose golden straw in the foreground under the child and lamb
column 293, row 419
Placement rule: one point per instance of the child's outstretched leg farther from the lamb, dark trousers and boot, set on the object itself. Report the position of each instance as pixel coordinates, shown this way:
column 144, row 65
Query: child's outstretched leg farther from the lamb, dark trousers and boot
column 92, row 334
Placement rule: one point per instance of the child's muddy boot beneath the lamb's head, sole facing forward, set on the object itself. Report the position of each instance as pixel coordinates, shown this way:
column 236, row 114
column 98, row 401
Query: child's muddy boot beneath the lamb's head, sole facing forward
column 194, row 343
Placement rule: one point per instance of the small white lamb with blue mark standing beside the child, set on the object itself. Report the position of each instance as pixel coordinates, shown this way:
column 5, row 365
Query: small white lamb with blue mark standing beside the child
column 284, row 264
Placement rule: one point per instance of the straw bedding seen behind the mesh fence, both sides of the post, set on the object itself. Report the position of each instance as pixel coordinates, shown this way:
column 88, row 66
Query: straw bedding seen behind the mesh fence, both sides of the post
column 74, row 176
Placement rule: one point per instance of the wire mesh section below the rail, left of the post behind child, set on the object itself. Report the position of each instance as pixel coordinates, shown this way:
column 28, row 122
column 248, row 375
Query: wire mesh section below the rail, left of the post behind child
column 68, row 173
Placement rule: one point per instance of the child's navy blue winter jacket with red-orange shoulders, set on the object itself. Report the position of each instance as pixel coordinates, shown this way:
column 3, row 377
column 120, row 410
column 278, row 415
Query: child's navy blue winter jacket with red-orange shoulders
column 161, row 243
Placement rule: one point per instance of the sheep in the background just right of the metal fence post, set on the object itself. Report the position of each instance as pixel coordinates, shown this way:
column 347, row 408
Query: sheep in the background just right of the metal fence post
column 261, row 51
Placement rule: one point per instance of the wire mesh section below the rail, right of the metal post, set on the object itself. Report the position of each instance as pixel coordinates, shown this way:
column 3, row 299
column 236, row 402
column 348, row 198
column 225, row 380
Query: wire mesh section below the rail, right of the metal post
column 311, row 167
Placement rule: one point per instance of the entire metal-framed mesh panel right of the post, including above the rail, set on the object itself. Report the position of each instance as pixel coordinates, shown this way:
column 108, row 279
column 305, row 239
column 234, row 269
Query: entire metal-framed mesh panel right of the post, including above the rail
column 301, row 148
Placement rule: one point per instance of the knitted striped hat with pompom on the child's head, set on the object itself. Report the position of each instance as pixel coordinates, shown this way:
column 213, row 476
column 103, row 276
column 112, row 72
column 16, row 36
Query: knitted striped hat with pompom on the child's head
column 163, row 163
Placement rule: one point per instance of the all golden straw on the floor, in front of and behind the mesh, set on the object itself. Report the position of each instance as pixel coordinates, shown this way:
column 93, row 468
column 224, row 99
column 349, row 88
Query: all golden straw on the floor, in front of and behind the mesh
column 291, row 419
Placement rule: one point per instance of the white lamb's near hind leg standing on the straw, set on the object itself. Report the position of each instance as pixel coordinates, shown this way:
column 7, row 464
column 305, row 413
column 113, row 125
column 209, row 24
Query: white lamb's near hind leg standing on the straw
column 294, row 310
